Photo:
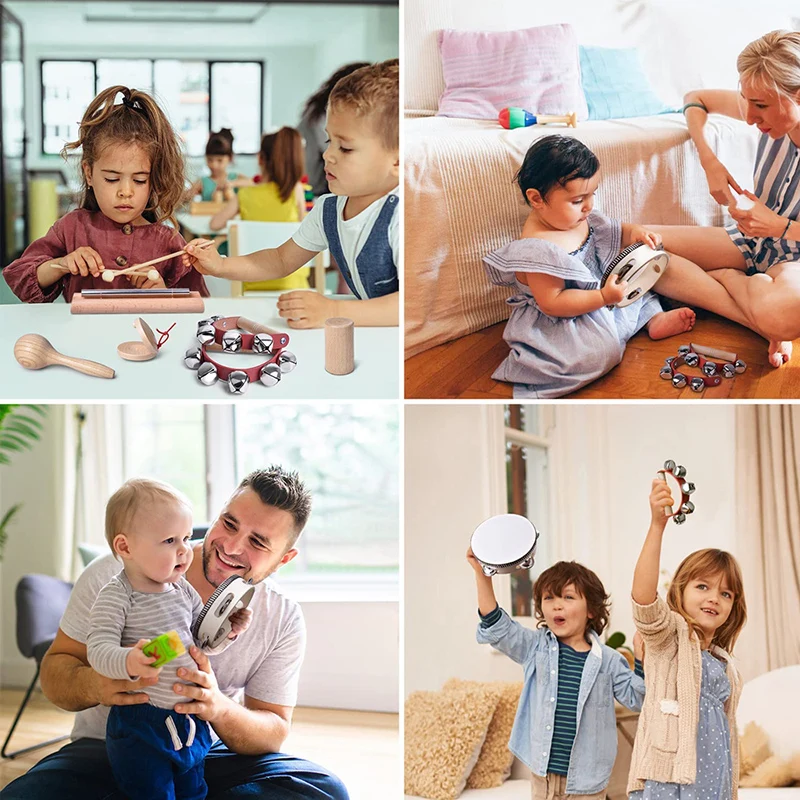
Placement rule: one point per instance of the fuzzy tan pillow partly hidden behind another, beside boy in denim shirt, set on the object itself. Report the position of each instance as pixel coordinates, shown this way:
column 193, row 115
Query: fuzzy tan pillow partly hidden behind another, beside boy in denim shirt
column 495, row 759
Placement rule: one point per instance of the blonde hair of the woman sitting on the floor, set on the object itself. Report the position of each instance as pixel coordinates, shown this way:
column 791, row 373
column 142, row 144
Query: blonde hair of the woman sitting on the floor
column 773, row 61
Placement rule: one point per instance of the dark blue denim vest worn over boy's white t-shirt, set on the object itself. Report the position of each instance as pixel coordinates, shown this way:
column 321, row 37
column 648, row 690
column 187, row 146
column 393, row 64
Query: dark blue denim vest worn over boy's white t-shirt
column 374, row 274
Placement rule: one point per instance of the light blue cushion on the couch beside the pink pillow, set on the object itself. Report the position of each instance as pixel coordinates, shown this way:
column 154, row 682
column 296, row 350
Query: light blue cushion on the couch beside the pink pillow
column 616, row 86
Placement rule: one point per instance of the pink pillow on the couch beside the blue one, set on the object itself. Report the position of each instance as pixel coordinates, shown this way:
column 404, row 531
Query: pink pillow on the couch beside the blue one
column 537, row 69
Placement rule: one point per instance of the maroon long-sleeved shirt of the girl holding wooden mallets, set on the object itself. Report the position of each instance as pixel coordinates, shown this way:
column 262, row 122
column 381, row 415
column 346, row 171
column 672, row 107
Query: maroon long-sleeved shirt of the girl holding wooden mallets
column 119, row 246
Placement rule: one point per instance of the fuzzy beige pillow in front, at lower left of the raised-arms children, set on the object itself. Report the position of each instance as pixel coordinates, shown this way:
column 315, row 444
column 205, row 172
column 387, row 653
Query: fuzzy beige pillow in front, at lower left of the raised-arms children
column 444, row 733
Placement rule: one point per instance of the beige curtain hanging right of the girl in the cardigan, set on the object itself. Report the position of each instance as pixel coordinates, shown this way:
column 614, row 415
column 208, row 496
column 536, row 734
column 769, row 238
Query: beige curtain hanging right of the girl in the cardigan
column 768, row 510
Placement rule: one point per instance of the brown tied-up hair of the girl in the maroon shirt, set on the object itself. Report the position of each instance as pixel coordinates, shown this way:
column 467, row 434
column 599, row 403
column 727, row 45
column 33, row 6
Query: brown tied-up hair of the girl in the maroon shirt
column 137, row 120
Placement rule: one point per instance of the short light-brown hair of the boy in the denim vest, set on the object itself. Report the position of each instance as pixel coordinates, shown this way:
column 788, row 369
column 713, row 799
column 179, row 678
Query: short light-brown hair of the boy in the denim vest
column 373, row 91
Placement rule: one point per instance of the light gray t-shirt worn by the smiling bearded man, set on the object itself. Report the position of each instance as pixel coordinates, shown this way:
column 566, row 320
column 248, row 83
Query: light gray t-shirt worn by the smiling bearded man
column 264, row 663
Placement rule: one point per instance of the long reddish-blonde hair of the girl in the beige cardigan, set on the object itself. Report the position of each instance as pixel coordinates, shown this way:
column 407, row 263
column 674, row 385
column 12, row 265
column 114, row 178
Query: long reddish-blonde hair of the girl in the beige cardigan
column 706, row 564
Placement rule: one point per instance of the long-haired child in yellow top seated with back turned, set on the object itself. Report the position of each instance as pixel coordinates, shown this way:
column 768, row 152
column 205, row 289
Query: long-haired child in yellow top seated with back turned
column 278, row 197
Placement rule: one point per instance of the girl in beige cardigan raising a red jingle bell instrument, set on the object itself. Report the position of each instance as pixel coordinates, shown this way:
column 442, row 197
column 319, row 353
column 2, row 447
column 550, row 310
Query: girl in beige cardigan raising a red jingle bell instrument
column 686, row 742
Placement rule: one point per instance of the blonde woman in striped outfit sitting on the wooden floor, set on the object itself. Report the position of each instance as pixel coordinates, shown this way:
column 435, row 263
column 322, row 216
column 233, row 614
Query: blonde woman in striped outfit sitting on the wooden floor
column 752, row 267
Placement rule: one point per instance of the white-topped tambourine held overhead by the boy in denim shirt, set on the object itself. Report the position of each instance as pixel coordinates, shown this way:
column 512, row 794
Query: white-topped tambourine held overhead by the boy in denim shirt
column 504, row 543
